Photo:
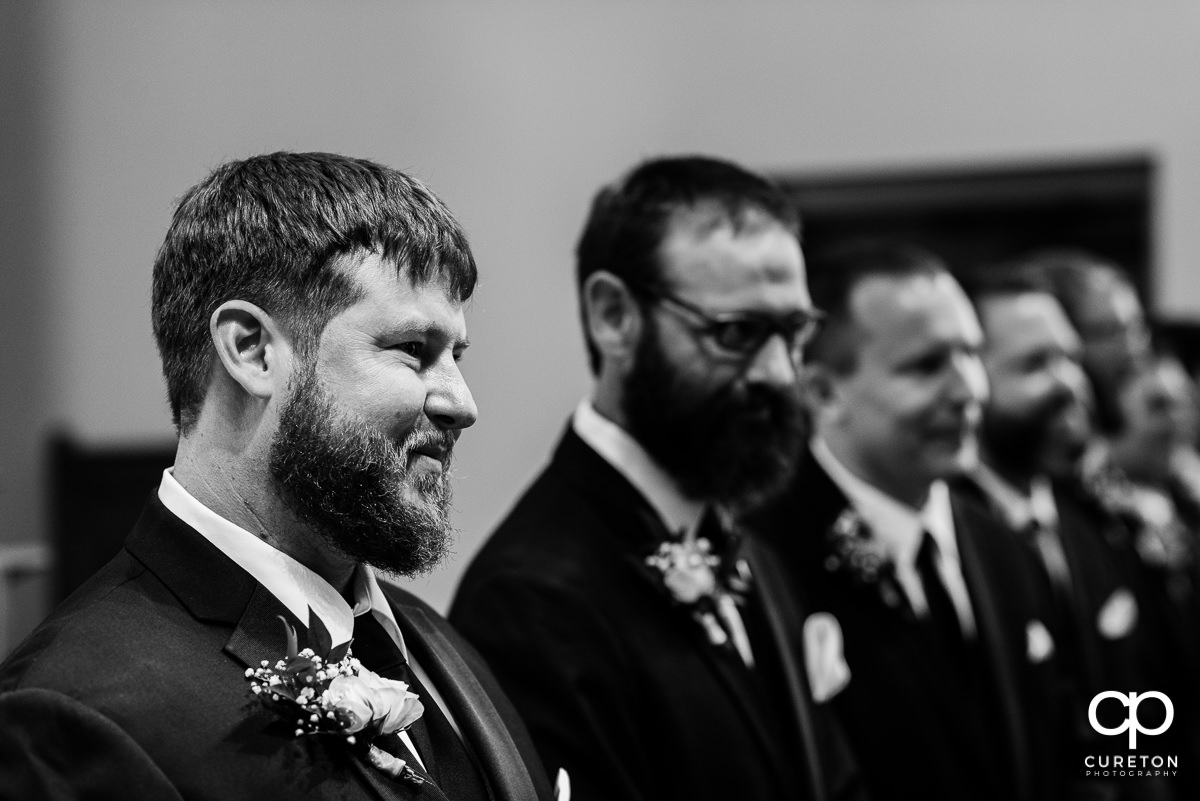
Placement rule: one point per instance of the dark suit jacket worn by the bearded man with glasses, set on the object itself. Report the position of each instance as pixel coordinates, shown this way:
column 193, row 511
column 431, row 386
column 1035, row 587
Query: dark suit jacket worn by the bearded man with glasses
column 617, row 683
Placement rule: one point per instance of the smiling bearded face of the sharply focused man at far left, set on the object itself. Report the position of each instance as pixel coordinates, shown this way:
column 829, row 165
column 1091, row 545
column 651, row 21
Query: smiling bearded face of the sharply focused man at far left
column 367, row 433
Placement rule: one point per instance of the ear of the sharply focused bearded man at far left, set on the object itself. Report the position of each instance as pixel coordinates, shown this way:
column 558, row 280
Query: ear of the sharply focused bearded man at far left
column 251, row 347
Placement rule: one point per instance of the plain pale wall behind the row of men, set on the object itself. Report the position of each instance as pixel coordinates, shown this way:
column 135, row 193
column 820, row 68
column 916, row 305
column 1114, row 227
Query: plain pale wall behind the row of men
column 514, row 113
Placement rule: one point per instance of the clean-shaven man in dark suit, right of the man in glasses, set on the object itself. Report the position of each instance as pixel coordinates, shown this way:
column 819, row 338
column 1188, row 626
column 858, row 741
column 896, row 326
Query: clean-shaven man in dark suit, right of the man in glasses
column 947, row 683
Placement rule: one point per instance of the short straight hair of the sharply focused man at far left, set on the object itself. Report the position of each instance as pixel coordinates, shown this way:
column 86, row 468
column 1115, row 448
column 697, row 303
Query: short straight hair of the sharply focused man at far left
column 269, row 231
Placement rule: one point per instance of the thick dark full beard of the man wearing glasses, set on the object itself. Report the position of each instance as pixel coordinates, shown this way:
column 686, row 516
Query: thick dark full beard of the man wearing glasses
column 735, row 447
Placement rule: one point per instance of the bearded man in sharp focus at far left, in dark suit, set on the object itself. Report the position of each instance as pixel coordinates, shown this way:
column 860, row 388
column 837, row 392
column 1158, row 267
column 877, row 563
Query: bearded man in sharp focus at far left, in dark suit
column 309, row 311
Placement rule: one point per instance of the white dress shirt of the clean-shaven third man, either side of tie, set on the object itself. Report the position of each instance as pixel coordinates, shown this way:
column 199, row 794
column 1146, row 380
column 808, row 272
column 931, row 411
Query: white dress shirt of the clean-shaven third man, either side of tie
column 899, row 531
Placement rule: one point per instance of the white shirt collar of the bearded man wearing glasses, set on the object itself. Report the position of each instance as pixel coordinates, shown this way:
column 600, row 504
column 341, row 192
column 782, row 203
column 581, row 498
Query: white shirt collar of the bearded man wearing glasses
column 631, row 460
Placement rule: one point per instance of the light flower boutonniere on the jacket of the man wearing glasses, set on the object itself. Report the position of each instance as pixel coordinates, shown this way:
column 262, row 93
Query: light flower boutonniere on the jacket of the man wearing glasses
column 697, row 580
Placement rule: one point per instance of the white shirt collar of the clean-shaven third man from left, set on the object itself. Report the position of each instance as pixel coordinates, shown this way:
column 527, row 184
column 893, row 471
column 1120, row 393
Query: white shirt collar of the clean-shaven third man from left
column 897, row 527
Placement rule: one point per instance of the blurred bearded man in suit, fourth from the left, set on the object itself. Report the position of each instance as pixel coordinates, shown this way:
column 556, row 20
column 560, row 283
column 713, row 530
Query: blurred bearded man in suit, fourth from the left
column 1035, row 433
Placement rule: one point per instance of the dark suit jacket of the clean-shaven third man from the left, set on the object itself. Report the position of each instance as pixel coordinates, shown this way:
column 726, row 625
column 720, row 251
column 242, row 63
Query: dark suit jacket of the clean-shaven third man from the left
column 925, row 727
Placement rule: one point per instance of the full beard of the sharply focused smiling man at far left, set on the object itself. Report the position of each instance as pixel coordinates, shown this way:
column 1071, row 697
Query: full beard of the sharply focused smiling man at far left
column 352, row 486
